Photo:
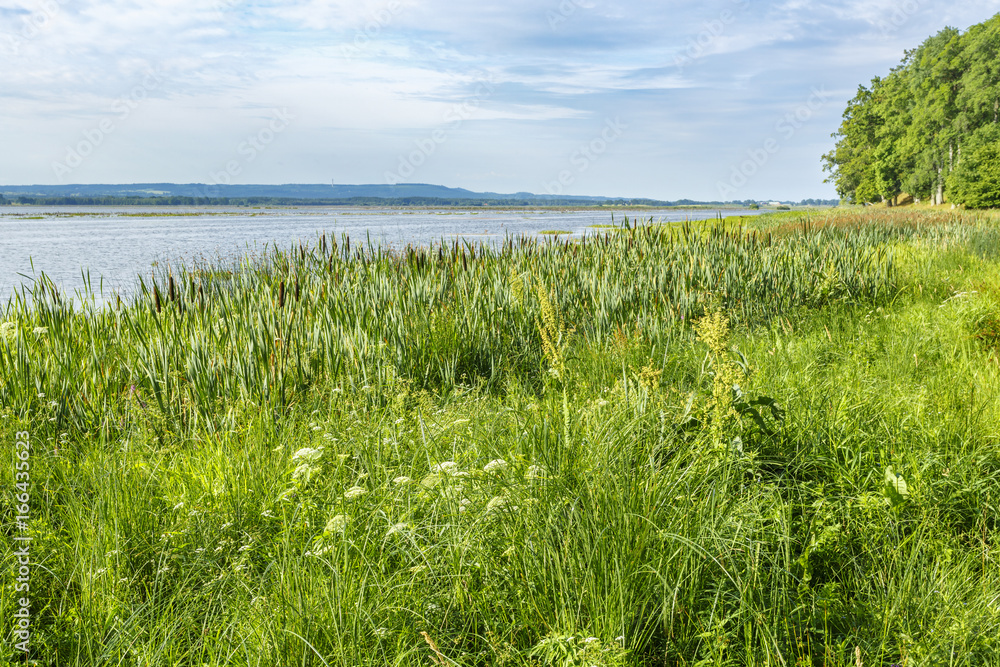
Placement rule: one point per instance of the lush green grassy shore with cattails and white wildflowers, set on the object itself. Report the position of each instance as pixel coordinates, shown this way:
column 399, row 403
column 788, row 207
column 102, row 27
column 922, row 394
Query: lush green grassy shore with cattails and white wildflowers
column 769, row 441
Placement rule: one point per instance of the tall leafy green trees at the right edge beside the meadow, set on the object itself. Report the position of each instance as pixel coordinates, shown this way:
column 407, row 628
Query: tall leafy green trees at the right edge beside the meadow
column 928, row 129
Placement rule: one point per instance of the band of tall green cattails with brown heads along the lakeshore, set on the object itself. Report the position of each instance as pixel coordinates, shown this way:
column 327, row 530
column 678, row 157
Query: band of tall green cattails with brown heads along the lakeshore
column 270, row 328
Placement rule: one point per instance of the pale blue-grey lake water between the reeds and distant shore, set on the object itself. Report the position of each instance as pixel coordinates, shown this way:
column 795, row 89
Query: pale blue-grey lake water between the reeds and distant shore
column 116, row 244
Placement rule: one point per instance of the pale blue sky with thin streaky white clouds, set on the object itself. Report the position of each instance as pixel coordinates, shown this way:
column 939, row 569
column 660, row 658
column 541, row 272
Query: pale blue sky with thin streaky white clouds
column 719, row 100
